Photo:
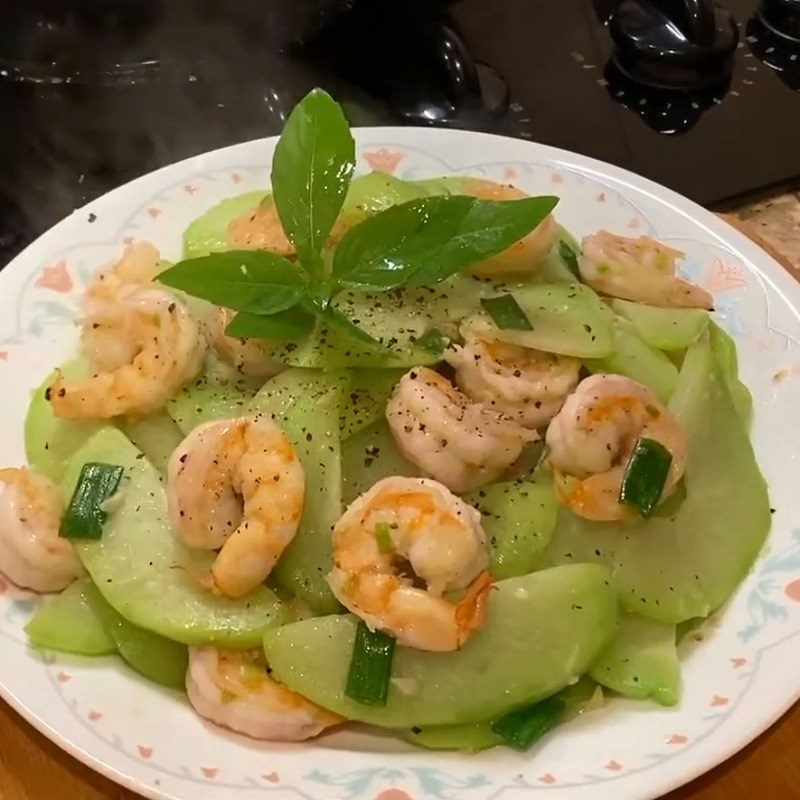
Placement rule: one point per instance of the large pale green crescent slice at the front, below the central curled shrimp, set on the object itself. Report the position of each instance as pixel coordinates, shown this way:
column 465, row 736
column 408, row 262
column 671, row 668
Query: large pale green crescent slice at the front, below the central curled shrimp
column 541, row 632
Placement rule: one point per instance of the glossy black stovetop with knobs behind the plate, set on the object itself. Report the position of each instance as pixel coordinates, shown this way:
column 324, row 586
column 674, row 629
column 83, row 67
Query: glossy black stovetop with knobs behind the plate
column 96, row 92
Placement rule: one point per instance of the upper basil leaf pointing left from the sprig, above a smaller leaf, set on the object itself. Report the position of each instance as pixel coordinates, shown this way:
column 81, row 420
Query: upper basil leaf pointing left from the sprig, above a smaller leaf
column 244, row 280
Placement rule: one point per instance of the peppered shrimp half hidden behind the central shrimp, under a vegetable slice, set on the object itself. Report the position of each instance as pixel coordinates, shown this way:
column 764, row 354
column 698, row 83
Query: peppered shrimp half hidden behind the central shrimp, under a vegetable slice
column 525, row 384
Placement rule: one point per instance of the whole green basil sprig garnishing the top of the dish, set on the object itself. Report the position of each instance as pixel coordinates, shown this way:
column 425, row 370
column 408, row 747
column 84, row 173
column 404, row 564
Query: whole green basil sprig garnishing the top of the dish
column 420, row 242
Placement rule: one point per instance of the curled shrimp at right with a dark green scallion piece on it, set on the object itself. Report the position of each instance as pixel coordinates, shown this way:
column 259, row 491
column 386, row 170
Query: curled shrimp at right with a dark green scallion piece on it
column 593, row 436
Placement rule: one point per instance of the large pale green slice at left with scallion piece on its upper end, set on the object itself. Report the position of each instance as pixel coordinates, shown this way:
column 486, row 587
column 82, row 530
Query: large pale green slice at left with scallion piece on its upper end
column 146, row 574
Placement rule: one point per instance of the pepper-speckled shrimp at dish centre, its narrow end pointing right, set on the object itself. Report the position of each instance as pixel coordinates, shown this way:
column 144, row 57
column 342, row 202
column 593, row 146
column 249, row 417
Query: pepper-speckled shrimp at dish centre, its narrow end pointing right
column 453, row 440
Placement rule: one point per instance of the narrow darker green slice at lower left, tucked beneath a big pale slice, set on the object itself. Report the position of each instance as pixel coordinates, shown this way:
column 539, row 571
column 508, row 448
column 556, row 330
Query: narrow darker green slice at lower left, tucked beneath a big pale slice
column 161, row 660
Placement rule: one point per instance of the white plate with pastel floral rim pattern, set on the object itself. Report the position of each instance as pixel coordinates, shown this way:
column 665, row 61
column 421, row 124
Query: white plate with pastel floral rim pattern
column 737, row 681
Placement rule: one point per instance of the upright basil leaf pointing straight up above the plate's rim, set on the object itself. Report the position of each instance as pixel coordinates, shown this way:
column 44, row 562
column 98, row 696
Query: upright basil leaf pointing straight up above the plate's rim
column 311, row 171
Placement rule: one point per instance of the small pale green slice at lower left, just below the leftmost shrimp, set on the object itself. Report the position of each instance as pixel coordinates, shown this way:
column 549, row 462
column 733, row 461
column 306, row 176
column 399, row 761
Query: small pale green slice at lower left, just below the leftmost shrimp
column 69, row 624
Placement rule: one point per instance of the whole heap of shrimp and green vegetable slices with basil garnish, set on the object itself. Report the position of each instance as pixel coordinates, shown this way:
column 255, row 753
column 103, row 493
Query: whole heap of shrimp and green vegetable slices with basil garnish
column 397, row 452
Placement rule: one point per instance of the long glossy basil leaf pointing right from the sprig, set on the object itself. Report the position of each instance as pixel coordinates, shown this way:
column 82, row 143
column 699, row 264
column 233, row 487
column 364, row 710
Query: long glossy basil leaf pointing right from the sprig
column 424, row 241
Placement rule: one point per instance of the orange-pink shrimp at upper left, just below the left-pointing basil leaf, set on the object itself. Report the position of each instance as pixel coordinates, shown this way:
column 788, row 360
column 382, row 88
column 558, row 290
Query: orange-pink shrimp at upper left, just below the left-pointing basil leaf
column 142, row 343
